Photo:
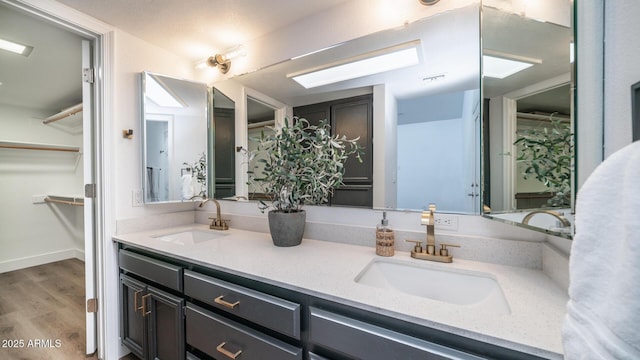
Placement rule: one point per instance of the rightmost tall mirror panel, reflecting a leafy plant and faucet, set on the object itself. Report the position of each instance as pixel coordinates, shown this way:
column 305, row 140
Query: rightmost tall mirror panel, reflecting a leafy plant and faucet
column 528, row 148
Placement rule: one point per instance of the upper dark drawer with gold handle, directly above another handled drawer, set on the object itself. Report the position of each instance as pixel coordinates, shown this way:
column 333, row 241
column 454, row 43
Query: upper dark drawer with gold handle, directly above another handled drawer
column 269, row 311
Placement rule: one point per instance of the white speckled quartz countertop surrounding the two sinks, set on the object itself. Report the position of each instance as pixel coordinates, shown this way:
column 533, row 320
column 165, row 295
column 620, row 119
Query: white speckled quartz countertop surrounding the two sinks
column 328, row 269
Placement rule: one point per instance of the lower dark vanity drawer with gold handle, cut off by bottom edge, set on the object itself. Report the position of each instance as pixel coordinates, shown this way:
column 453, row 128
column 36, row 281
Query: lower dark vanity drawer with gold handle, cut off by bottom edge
column 222, row 338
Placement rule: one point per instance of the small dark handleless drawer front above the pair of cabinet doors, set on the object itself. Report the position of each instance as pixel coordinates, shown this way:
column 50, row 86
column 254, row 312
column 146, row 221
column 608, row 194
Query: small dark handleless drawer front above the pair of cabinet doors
column 157, row 271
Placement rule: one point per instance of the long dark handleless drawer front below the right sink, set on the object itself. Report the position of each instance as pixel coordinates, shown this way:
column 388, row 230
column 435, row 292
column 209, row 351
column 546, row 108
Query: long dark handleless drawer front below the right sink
column 361, row 340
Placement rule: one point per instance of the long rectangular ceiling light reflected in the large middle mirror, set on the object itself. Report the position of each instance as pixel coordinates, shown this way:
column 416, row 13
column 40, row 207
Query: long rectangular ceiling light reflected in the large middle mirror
column 375, row 62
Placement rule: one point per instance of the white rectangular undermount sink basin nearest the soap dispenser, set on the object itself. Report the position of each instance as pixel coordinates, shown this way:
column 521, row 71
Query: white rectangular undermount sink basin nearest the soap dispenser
column 454, row 286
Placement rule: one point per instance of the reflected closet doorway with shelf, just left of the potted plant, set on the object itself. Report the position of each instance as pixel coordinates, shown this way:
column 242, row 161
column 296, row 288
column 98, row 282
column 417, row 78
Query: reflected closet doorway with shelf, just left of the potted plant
column 260, row 120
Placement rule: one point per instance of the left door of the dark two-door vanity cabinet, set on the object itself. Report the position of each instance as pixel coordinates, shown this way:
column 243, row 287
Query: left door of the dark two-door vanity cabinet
column 132, row 327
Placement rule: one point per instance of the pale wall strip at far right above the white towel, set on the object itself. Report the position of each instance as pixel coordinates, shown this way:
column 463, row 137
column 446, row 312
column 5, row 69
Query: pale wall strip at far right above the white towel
column 621, row 70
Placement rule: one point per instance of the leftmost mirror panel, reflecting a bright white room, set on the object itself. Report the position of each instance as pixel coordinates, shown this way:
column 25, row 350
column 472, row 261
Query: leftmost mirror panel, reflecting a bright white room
column 174, row 113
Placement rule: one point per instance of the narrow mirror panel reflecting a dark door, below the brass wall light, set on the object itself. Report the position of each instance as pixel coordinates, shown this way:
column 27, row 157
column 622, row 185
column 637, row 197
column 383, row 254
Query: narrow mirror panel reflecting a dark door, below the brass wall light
column 223, row 169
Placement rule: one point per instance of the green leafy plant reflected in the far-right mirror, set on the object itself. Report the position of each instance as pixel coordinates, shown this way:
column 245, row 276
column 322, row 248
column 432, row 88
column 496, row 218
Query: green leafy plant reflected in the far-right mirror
column 547, row 153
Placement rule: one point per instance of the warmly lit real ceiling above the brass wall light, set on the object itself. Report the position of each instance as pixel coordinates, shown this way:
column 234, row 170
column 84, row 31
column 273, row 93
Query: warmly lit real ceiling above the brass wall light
column 196, row 29
